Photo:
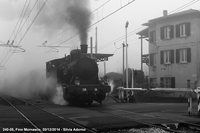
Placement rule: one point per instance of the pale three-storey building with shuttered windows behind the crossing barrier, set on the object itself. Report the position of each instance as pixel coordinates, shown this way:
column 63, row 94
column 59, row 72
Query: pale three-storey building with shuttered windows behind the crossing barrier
column 174, row 49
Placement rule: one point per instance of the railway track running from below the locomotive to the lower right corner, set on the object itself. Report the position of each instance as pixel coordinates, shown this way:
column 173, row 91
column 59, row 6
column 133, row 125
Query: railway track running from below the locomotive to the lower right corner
column 150, row 120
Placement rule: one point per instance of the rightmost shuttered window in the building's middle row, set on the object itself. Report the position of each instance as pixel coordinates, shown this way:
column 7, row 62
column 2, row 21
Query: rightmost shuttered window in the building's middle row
column 183, row 55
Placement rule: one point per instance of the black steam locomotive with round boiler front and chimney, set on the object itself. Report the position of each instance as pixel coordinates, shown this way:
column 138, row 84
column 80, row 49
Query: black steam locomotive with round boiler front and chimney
column 78, row 75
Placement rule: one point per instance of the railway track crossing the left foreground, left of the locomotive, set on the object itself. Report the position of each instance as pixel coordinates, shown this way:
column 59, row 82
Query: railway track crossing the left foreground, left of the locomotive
column 40, row 120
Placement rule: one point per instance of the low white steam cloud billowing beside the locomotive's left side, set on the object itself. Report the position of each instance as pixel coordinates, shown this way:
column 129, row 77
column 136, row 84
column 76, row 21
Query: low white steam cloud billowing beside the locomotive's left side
column 33, row 85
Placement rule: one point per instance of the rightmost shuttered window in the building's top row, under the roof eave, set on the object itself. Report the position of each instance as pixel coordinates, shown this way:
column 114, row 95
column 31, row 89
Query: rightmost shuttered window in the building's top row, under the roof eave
column 183, row 30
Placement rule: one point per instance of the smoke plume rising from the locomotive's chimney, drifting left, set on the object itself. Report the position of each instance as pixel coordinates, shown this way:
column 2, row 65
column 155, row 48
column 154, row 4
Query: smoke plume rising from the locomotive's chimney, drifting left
column 63, row 13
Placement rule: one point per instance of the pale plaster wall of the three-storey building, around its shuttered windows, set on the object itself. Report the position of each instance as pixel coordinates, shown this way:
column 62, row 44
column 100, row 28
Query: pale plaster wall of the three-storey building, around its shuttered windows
column 181, row 72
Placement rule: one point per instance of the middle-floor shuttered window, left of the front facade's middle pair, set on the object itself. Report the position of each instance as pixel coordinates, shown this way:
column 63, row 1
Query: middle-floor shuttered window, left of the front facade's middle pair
column 167, row 57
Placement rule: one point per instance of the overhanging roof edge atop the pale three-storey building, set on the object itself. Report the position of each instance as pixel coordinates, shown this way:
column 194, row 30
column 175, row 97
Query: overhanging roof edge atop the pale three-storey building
column 183, row 13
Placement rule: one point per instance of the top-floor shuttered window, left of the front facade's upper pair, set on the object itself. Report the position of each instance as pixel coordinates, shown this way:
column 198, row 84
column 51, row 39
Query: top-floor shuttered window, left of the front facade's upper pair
column 167, row 32
